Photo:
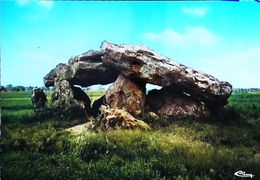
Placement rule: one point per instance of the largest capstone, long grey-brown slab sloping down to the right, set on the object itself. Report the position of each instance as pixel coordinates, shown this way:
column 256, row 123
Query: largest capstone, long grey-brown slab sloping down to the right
column 139, row 62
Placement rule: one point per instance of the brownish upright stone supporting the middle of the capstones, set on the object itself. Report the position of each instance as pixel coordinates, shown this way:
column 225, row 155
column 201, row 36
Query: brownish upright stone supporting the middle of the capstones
column 127, row 94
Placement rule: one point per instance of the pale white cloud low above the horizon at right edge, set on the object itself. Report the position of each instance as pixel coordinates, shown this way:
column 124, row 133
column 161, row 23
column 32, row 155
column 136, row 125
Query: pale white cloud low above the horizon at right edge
column 240, row 67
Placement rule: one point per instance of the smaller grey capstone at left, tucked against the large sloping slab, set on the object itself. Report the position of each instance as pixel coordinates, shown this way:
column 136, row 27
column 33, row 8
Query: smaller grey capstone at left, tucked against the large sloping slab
column 84, row 70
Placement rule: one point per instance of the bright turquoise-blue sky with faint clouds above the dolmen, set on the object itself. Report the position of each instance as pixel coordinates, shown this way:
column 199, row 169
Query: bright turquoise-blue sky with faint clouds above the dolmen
column 219, row 38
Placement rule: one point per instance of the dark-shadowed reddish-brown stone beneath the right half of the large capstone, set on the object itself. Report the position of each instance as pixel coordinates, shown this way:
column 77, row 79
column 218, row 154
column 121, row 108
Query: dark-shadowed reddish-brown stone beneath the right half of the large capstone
column 169, row 102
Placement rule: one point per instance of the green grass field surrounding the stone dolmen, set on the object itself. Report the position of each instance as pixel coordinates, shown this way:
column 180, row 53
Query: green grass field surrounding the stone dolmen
column 213, row 148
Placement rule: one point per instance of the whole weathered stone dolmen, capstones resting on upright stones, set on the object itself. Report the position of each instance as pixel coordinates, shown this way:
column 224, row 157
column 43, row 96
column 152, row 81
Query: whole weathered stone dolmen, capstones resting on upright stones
column 185, row 92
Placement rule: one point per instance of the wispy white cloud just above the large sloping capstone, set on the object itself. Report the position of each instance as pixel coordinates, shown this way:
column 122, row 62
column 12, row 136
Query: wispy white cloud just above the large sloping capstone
column 192, row 36
